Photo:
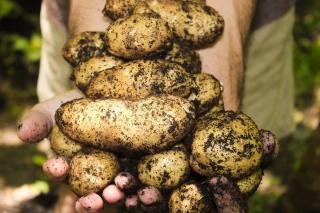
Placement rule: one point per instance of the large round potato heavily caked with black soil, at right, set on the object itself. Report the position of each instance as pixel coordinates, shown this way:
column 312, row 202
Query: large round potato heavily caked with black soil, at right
column 229, row 144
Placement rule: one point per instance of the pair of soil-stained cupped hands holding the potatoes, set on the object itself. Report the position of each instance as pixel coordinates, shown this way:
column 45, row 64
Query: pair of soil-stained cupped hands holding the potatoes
column 37, row 124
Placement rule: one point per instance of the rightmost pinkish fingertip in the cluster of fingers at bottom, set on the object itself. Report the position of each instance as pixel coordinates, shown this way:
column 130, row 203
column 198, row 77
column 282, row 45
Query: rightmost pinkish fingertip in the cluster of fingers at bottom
column 149, row 195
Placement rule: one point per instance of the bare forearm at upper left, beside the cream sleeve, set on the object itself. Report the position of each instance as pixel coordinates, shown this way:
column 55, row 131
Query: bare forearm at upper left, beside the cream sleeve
column 86, row 15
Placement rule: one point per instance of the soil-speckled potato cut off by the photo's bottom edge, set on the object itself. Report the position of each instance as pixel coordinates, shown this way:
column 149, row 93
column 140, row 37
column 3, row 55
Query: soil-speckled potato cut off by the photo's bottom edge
column 190, row 198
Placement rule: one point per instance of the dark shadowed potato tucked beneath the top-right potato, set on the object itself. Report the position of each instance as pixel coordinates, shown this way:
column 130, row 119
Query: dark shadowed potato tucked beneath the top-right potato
column 187, row 58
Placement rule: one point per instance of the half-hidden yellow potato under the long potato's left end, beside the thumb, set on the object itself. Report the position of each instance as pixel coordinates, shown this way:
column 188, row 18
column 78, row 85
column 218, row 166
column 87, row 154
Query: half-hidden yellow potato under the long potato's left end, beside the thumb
column 62, row 145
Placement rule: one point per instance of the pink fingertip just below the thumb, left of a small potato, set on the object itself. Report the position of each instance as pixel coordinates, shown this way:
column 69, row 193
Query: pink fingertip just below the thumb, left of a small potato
column 56, row 168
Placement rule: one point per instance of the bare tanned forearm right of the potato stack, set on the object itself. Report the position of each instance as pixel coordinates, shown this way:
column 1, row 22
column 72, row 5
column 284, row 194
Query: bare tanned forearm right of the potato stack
column 225, row 59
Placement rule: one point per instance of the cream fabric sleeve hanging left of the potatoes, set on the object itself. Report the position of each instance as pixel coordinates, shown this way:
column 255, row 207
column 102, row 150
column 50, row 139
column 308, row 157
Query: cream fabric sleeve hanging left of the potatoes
column 55, row 72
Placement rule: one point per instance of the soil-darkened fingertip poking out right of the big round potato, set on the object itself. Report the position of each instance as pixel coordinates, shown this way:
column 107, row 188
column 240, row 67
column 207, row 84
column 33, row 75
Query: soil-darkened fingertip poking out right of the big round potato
column 270, row 147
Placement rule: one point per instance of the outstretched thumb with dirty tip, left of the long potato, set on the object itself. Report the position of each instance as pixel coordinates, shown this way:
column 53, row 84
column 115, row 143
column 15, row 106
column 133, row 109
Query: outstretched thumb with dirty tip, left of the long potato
column 37, row 123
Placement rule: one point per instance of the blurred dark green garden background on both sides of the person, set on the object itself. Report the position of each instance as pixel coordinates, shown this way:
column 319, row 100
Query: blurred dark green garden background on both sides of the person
column 290, row 186
